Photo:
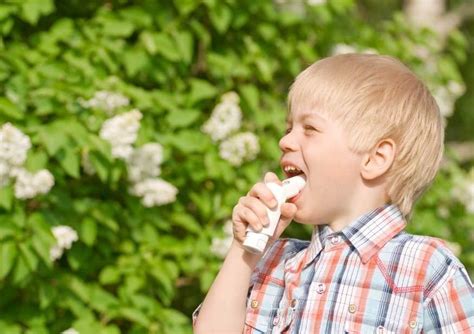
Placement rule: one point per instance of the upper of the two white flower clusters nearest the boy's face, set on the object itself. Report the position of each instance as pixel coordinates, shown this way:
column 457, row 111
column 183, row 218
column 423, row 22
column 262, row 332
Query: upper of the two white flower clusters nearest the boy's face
column 226, row 117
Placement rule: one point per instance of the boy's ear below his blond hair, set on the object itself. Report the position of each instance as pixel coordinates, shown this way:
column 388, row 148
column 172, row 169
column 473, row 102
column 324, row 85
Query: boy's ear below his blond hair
column 378, row 160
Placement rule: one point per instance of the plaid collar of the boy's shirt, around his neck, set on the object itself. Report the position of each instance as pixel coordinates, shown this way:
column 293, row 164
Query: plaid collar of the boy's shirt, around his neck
column 367, row 234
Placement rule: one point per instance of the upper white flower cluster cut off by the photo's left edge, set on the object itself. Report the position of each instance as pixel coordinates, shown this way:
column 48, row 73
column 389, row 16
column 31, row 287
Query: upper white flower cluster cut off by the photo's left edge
column 14, row 146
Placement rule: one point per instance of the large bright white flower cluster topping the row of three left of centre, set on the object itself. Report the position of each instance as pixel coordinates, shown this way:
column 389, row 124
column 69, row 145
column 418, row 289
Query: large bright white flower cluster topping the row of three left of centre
column 121, row 132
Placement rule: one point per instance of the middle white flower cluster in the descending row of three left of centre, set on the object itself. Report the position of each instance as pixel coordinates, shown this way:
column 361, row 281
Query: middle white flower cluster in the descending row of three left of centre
column 144, row 162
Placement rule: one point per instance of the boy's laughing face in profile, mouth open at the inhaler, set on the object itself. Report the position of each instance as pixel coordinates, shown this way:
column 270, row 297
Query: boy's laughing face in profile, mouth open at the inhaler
column 318, row 146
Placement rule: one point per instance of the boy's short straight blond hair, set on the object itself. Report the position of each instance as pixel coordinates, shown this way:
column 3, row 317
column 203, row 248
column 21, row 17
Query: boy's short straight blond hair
column 375, row 97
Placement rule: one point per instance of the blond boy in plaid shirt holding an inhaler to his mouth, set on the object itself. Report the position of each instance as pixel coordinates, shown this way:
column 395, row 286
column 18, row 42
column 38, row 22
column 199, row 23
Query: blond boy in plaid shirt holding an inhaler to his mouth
column 368, row 137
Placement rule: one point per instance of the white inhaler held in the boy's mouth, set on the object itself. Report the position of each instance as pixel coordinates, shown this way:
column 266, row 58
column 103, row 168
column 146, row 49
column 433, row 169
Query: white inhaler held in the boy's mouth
column 255, row 242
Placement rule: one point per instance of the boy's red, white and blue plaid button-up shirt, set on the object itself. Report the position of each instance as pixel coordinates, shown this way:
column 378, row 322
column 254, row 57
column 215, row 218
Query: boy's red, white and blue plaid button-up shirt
column 371, row 277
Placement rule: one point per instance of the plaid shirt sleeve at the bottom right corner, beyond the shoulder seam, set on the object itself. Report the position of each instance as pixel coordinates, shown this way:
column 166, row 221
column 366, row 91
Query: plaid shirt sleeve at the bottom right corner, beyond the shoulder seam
column 450, row 309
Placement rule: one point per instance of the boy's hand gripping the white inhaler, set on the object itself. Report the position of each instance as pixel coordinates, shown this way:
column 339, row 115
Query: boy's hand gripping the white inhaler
column 251, row 210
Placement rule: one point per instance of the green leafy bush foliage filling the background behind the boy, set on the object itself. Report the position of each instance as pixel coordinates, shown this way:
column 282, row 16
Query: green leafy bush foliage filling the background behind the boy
column 144, row 270
